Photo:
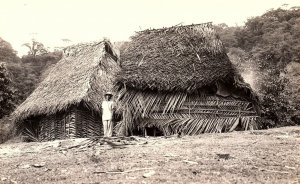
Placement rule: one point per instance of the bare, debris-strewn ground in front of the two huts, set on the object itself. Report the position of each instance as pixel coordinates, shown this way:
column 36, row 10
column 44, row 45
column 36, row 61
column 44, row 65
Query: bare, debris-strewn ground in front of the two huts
column 266, row 156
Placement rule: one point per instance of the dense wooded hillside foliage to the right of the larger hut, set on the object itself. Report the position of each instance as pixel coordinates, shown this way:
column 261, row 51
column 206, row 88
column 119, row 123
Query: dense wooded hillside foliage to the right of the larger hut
column 267, row 45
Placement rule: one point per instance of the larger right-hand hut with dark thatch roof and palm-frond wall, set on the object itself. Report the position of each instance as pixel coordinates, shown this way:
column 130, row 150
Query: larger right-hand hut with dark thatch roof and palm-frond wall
column 179, row 77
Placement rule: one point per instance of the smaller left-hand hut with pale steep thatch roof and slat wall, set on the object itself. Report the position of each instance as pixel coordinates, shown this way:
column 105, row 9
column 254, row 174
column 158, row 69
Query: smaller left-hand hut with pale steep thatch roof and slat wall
column 77, row 82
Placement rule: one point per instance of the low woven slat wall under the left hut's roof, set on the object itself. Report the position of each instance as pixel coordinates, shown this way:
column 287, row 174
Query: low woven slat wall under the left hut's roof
column 75, row 122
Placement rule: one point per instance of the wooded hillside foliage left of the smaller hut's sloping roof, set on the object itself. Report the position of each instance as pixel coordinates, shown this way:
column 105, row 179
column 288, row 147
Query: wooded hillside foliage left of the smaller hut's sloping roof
column 25, row 72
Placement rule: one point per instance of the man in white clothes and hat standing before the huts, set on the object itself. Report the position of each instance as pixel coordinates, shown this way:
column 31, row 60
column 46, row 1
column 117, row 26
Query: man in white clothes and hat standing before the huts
column 107, row 114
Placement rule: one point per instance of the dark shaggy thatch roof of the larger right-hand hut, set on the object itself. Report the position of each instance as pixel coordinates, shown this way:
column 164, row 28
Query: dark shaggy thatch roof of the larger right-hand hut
column 183, row 58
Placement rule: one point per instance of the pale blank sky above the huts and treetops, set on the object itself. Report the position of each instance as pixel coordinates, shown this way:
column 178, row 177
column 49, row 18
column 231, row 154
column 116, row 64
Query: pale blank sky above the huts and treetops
column 50, row 21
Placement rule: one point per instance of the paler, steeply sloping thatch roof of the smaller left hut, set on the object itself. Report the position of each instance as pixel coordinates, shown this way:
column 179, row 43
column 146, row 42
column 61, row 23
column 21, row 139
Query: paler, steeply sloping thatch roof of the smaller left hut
column 84, row 74
